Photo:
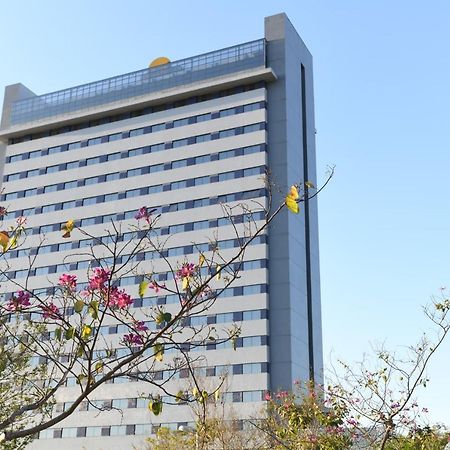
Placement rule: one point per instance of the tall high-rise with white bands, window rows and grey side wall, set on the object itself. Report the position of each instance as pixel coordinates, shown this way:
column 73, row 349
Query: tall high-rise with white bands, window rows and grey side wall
column 182, row 137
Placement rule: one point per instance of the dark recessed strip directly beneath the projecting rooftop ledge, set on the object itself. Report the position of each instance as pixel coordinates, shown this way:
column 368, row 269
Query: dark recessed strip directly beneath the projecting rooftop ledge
column 140, row 112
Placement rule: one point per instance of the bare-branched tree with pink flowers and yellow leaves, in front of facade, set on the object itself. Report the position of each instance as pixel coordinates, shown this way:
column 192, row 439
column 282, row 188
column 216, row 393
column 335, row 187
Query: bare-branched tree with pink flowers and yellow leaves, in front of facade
column 59, row 333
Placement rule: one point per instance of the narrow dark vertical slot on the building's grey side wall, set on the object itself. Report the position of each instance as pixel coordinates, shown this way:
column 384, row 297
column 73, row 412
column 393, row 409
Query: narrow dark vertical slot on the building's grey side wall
column 307, row 230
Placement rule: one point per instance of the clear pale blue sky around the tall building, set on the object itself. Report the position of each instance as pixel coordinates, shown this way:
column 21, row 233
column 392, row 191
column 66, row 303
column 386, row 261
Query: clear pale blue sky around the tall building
column 382, row 89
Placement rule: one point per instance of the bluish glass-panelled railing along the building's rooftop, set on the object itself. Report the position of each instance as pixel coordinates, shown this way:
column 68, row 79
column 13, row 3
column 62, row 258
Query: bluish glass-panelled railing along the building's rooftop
column 178, row 73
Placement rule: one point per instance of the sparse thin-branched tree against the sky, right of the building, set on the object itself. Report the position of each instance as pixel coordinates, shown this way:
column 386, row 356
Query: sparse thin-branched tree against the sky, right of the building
column 380, row 394
